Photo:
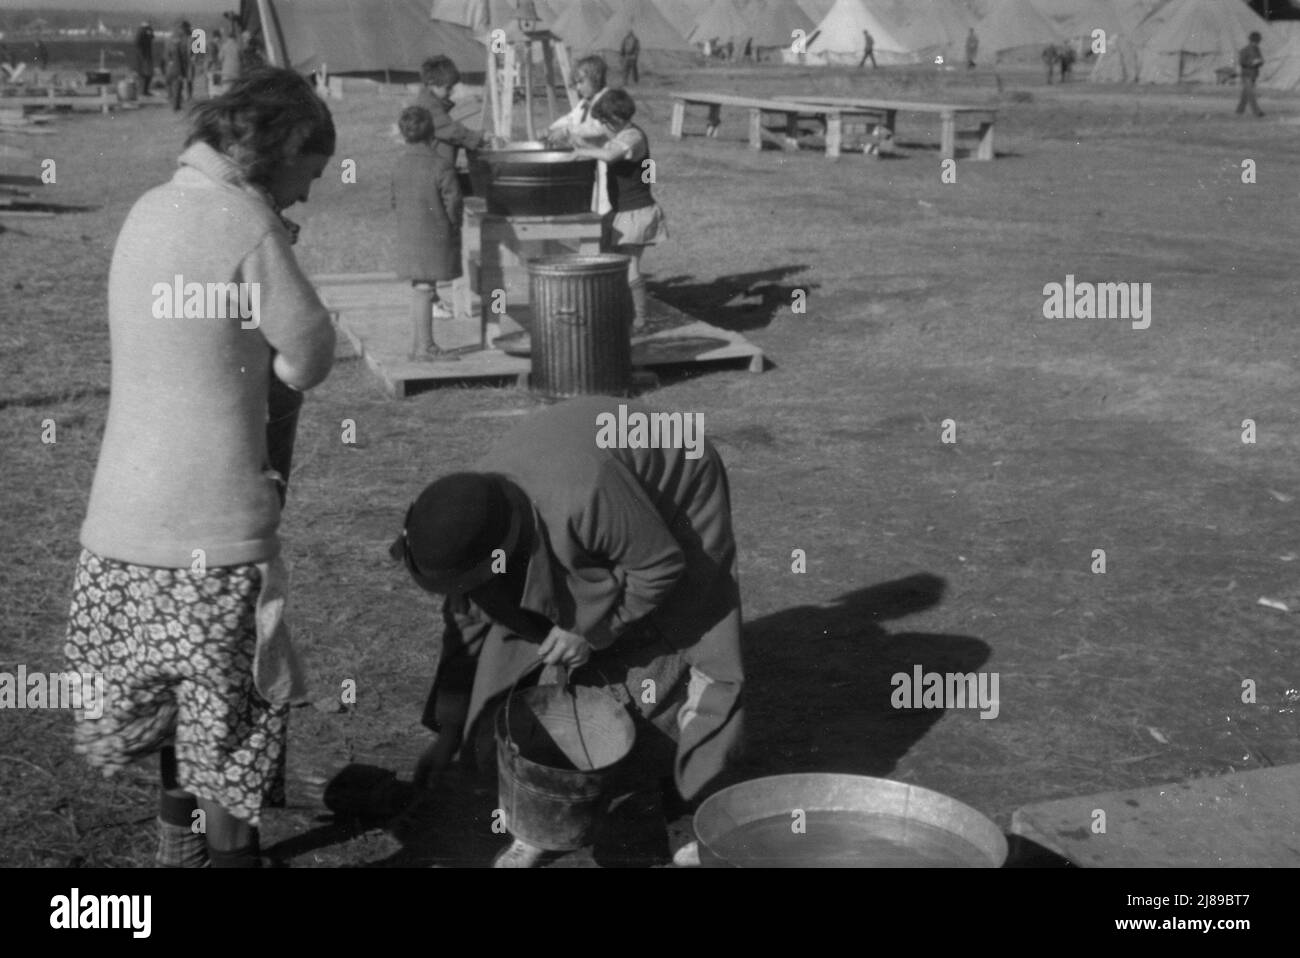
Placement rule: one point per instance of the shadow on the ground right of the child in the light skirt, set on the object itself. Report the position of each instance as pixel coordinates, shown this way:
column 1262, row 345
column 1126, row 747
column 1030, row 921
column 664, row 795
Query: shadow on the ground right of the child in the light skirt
column 762, row 294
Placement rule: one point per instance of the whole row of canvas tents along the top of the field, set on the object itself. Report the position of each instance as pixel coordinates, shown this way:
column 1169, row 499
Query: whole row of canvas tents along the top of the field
column 1147, row 41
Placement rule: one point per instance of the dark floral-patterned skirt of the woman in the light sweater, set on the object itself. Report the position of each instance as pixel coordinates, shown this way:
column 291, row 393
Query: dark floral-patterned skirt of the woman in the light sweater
column 176, row 649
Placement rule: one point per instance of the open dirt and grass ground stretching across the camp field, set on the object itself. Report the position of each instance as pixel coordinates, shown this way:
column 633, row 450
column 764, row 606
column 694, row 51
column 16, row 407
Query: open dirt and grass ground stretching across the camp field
column 925, row 304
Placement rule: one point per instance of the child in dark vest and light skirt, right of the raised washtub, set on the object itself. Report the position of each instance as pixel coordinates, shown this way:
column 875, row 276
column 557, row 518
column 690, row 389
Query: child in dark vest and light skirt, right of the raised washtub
column 636, row 220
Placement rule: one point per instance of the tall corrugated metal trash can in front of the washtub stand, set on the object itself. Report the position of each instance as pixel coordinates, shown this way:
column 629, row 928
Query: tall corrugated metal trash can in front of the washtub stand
column 582, row 326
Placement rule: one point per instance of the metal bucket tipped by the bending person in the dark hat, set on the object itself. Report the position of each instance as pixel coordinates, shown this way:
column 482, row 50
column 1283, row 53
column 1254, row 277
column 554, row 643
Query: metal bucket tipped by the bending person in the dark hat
column 557, row 751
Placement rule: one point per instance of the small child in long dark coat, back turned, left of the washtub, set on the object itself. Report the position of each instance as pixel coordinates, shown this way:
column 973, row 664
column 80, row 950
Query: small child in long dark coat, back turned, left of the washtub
column 428, row 200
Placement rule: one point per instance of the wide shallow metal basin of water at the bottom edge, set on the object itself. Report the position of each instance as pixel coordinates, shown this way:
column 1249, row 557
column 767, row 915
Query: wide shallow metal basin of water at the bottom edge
column 843, row 821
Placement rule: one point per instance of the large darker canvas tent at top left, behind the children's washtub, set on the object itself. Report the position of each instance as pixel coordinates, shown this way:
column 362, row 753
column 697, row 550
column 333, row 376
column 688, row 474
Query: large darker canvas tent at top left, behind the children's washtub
column 376, row 38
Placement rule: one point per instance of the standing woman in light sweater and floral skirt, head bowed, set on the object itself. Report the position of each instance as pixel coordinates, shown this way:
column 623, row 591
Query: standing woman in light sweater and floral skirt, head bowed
column 180, row 584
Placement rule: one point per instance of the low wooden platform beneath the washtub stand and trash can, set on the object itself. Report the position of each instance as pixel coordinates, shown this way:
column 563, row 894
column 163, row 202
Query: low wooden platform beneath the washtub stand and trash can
column 372, row 311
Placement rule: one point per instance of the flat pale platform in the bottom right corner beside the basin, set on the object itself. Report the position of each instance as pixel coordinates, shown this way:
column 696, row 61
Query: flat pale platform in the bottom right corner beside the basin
column 1249, row 820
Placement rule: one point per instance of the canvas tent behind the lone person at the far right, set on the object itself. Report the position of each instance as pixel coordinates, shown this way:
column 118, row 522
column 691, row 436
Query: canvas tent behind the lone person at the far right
column 1197, row 40
